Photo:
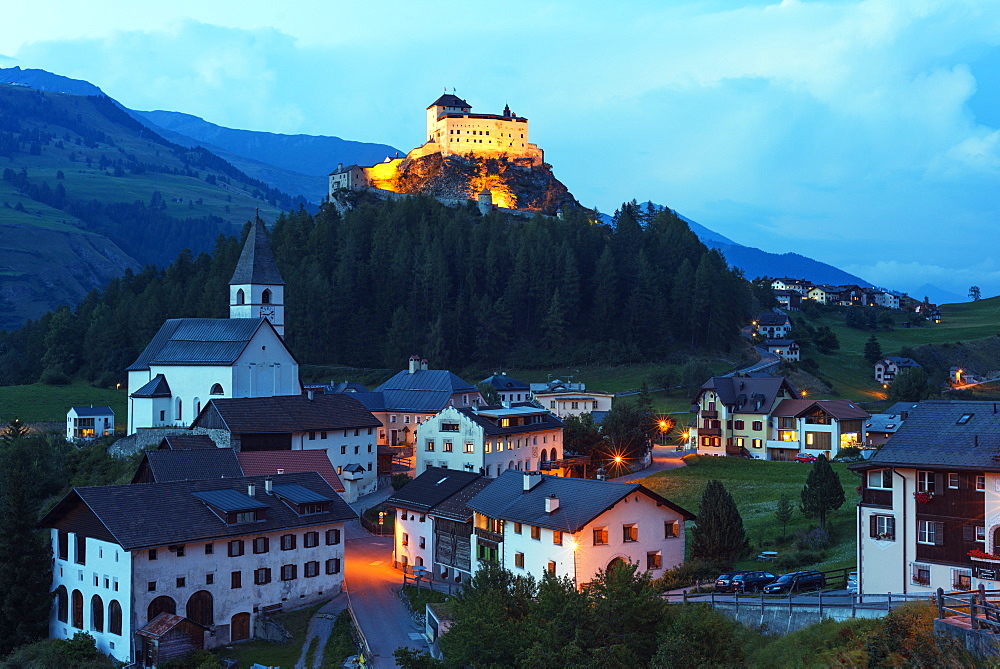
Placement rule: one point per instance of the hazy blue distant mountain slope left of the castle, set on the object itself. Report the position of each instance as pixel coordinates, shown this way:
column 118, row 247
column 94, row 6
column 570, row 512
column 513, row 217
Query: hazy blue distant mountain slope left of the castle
column 300, row 155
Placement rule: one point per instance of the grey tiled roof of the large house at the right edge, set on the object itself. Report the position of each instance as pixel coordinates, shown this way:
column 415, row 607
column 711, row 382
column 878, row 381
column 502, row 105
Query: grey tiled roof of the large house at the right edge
column 932, row 437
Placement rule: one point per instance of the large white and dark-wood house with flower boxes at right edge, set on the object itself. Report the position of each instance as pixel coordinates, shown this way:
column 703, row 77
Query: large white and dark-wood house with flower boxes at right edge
column 929, row 515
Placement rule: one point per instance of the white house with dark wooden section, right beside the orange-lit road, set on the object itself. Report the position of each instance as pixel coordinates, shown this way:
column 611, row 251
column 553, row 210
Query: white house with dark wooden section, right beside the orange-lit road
column 433, row 525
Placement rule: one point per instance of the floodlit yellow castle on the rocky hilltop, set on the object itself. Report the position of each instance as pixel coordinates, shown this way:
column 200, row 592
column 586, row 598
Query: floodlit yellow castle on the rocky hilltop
column 452, row 130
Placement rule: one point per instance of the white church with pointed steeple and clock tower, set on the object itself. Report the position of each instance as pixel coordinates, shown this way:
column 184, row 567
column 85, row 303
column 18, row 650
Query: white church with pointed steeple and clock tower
column 193, row 360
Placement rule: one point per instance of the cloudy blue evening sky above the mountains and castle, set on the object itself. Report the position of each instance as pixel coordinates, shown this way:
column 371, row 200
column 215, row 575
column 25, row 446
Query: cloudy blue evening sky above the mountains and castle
column 862, row 133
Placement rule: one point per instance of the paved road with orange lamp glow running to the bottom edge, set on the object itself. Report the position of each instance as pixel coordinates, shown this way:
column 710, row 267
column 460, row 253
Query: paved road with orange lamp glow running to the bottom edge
column 372, row 586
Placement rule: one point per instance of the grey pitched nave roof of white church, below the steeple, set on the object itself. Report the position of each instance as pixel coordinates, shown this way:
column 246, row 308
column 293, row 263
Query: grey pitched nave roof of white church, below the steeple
column 198, row 341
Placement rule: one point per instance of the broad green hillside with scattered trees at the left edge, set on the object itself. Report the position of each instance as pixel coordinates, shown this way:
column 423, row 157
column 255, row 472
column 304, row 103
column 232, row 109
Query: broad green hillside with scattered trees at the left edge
column 87, row 191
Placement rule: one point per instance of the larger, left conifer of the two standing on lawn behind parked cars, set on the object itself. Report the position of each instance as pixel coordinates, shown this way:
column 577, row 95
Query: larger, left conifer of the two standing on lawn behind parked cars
column 719, row 535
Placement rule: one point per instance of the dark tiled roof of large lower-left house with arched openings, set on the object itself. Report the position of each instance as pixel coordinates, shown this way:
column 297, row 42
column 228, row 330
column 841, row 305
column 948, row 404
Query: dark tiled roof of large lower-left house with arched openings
column 146, row 515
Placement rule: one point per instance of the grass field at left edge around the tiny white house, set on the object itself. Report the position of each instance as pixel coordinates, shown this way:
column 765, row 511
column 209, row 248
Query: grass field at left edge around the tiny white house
column 41, row 403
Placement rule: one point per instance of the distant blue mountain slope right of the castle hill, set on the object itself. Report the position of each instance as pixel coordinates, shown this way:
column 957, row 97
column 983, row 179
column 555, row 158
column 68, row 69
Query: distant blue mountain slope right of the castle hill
column 754, row 262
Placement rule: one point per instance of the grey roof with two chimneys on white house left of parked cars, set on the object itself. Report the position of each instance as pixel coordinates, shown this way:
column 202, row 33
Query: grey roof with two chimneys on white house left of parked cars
column 580, row 500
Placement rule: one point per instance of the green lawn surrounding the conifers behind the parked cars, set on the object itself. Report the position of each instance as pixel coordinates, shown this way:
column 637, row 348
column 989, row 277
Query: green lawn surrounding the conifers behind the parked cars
column 756, row 486
